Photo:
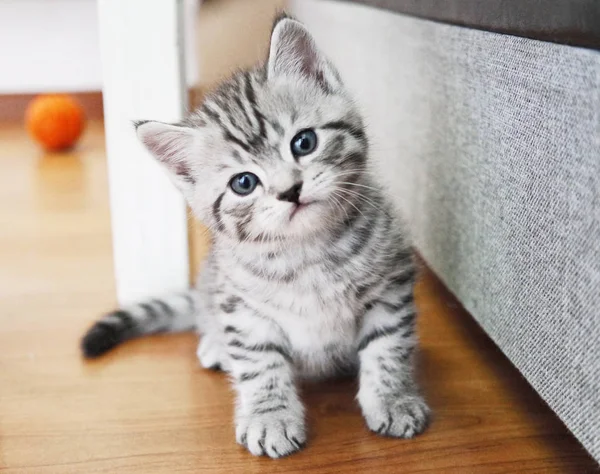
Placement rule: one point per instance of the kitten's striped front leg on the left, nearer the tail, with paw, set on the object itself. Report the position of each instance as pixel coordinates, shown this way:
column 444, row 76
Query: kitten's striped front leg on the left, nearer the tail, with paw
column 269, row 416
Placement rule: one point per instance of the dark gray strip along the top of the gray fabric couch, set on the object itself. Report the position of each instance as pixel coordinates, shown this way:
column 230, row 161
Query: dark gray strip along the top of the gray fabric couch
column 572, row 22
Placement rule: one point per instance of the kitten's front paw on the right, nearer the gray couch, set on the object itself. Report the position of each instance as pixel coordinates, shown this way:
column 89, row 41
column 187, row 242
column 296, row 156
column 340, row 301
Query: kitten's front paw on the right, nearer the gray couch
column 402, row 417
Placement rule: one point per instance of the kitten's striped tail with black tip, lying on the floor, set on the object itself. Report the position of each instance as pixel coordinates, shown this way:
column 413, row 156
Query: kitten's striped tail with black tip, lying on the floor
column 173, row 313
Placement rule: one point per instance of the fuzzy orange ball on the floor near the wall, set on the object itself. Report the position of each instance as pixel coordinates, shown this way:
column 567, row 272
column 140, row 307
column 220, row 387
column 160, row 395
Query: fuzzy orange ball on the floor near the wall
column 55, row 121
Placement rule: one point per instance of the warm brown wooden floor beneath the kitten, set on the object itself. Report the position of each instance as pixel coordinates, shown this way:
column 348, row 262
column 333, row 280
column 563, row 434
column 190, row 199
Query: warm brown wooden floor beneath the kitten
column 149, row 408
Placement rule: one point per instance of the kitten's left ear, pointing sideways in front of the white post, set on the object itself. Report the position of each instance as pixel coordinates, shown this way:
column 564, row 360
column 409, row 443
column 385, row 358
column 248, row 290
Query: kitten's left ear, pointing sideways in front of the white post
column 171, row 145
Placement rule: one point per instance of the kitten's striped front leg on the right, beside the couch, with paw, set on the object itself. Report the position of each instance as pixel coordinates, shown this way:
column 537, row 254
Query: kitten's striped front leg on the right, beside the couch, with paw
column 389, row 396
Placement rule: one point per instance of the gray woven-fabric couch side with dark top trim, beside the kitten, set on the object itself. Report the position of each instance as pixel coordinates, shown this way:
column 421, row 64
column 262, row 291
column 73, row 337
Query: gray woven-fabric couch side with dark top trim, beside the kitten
column 490, row 144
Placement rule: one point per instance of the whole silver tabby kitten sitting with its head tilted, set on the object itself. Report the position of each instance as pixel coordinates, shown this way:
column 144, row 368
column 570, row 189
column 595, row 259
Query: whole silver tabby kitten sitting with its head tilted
column 309, row 274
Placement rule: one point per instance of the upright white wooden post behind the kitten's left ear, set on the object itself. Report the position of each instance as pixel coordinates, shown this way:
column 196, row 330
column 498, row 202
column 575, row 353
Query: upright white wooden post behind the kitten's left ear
column 142, row 51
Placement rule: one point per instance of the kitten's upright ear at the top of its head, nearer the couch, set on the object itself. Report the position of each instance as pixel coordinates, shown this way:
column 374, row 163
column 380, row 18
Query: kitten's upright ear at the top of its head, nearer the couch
column 294, row 53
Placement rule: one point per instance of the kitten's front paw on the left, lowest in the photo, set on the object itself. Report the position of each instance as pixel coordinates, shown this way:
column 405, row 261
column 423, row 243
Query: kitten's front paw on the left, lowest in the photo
column 274, row 434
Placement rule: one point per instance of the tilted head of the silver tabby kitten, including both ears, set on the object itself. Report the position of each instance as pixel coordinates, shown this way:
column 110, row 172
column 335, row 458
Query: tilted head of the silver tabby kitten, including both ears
column 277, row 152
